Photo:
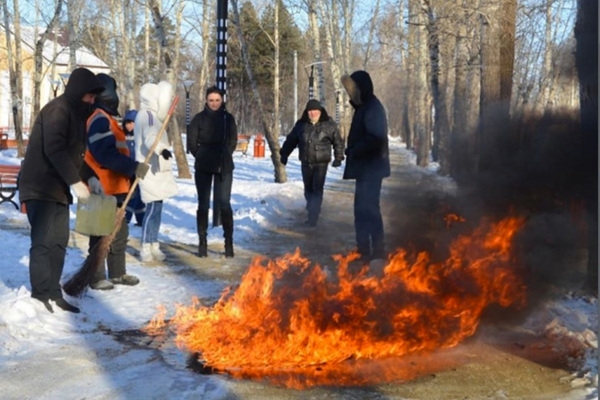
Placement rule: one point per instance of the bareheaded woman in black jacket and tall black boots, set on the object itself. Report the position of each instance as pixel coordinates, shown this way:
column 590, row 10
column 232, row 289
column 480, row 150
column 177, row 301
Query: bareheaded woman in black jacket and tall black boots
column 211, row 139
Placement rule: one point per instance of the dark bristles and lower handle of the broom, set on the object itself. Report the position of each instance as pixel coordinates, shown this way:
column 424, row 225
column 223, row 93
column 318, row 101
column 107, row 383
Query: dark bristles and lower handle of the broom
column 94, row 261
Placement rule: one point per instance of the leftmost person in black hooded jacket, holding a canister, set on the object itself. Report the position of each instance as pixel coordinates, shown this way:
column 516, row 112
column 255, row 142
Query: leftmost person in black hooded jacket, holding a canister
column 52, row 167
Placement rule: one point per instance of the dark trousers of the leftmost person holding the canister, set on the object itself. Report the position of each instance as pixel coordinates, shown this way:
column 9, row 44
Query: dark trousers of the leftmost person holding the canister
column 49, row 238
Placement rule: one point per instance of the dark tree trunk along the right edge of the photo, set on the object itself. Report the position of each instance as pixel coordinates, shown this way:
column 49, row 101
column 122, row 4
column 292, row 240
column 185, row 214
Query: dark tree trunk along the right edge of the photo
column 586, row 59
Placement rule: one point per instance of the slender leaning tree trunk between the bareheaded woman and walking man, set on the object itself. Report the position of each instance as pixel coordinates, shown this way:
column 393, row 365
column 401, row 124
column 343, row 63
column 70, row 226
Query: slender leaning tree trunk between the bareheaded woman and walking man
column 280, row 173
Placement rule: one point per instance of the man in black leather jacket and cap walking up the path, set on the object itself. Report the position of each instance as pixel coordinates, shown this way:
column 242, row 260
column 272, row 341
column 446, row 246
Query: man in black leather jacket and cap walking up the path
column 314, row 134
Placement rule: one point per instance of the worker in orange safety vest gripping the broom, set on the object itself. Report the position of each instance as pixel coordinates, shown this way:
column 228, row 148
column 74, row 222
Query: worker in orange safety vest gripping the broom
column 108, row 156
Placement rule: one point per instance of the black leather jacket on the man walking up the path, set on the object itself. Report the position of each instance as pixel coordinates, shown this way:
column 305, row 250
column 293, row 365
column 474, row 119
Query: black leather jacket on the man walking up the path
column 314, row 141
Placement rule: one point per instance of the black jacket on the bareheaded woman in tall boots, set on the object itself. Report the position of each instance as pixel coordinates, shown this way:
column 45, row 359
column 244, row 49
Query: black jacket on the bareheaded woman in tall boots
column 212, row 139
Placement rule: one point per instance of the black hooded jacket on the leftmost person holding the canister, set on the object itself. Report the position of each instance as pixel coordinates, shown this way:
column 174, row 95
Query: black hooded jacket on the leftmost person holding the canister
column 54, row 157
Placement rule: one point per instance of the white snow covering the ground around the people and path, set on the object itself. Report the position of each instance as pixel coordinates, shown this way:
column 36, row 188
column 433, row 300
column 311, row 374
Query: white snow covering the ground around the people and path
column 69, row 356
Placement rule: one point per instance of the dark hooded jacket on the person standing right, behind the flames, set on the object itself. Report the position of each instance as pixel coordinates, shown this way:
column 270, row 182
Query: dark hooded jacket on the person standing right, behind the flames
column 367, row 150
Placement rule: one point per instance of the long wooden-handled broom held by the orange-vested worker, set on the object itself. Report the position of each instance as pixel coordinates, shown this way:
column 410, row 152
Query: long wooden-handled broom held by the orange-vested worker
column 95, row 260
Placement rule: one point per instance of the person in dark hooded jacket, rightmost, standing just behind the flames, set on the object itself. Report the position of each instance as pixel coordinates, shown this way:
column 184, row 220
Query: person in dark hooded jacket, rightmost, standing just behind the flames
column 367, row 162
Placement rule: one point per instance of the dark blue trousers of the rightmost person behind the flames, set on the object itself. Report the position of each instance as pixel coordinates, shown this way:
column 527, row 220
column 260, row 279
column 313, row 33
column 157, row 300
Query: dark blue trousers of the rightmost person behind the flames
column 368, row 222
